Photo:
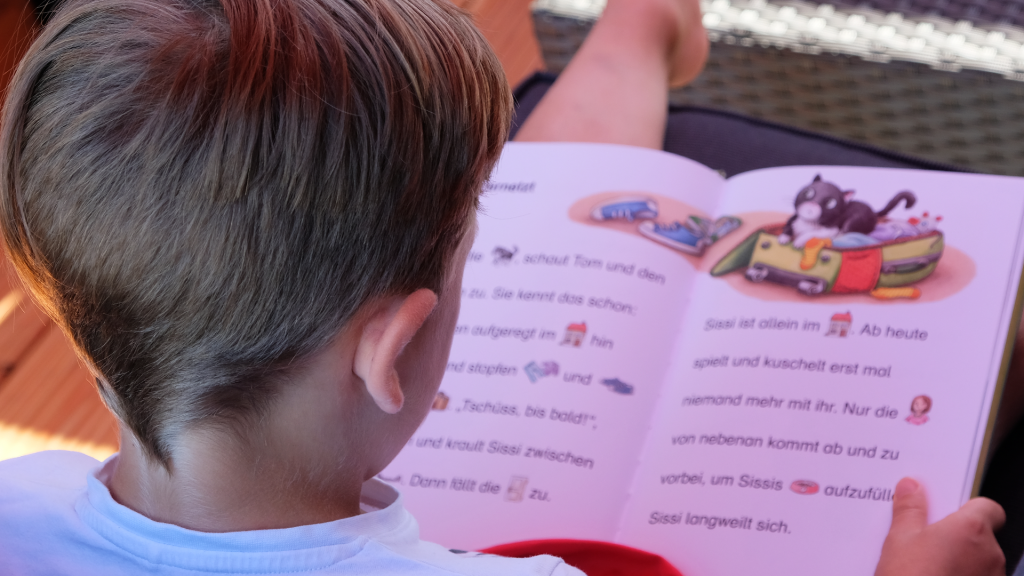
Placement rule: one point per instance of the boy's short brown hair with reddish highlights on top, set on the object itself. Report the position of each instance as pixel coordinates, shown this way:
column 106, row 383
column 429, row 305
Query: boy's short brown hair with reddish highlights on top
column 204, row 192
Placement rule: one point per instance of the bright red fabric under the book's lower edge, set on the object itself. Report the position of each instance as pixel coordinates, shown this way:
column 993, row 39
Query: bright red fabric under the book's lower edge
column 595, row 559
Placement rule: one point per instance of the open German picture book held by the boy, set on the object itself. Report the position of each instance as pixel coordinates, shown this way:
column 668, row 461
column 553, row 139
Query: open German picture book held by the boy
column 652, row 355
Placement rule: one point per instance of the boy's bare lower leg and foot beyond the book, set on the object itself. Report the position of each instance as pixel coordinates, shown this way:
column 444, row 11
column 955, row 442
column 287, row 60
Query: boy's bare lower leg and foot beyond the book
column 616, row 89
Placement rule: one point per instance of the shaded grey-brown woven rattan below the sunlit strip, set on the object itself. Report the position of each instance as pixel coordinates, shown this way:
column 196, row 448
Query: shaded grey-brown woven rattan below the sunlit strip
column 974, row 120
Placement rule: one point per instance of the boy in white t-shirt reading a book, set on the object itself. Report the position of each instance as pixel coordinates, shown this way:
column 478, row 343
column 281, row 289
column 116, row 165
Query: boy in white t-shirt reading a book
column 251, row 218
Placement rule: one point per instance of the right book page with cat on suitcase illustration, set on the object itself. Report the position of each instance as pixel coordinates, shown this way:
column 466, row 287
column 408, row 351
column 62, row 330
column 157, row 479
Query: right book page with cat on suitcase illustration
column 808, row 382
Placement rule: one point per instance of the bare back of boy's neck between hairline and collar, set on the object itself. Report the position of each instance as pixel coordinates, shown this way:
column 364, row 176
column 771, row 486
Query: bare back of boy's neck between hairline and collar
column 305, row 464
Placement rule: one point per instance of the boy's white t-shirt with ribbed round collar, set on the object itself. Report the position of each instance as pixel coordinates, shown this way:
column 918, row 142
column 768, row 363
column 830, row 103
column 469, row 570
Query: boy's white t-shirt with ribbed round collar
column 58, row 517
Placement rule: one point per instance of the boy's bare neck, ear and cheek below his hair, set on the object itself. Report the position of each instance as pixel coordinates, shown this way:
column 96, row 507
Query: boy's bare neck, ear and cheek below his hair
column 323, row 436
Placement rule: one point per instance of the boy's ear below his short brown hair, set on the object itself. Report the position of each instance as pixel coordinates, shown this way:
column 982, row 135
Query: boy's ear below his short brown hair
column 385, row 337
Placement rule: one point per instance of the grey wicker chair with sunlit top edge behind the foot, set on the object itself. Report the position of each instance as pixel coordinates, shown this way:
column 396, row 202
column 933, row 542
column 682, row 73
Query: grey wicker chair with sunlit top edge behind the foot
column 940, row 79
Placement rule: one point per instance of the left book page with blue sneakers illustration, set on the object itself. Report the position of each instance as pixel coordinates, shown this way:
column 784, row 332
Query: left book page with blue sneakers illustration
column 564, row 340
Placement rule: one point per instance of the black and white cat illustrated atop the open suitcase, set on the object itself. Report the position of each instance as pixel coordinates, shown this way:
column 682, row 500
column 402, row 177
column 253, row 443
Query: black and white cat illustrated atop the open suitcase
column 826, row 212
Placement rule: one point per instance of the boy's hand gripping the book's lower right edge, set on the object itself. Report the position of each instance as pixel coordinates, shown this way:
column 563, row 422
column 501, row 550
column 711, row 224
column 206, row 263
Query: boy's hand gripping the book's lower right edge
column 961, row 545
